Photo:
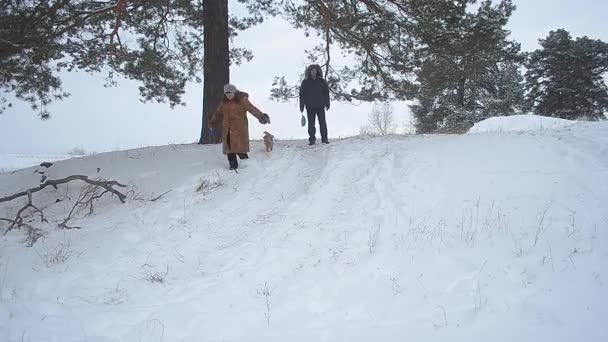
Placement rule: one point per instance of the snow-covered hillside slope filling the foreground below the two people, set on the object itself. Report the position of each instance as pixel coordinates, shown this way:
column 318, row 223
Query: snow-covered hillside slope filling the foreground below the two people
column 481, row 237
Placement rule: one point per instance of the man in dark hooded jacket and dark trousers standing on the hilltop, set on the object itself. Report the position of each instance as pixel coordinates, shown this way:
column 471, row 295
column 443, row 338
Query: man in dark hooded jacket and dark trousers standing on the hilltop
column 314, row 95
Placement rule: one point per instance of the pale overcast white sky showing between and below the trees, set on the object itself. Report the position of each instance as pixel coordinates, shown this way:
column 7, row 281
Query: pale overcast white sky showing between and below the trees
column 102, row 119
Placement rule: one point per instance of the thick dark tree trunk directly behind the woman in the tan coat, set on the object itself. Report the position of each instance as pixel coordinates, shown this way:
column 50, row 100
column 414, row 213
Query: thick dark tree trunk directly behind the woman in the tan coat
column 216, row 64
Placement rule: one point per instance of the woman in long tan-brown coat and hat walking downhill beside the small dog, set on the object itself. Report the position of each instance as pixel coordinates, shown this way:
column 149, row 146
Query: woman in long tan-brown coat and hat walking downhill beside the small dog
column 232, row 113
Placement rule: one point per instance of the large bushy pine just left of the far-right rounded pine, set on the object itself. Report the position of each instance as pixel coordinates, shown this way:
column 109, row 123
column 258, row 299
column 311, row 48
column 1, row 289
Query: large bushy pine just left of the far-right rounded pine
column 469, row 68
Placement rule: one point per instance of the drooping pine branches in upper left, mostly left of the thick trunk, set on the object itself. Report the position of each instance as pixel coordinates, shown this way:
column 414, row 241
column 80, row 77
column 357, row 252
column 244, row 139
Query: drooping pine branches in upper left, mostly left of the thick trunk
column 158, row 43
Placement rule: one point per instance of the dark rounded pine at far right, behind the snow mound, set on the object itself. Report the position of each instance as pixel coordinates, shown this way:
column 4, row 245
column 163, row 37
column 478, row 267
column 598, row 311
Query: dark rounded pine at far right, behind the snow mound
column 565, row 77
